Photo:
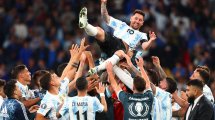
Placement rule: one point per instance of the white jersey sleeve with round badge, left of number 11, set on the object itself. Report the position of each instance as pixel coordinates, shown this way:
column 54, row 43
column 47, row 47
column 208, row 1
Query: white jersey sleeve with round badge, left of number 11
column 45, row 108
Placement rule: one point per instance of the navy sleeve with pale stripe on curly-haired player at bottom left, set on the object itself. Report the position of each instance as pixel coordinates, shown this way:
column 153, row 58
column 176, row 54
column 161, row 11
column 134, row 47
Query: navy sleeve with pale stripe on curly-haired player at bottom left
column 20, row 112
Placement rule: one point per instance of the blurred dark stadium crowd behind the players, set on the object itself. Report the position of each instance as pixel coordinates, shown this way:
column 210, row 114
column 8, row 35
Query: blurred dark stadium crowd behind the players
column 39, row 33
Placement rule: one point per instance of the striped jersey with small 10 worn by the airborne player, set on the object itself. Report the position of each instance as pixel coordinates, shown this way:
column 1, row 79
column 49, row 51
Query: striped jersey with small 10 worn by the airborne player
column 126, row 33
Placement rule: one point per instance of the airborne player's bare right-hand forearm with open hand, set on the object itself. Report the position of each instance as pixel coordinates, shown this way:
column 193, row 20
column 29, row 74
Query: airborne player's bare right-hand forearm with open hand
column 147, row 45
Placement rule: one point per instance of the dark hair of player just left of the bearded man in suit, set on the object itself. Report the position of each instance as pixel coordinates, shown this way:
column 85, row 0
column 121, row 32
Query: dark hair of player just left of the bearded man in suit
column 172, row 85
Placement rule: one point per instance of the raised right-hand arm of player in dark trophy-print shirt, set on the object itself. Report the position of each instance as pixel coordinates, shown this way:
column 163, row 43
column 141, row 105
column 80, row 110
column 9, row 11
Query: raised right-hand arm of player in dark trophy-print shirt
column 143, row 72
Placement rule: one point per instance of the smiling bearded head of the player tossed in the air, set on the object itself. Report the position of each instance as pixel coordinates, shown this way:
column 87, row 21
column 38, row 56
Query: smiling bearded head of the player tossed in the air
column 137, row 19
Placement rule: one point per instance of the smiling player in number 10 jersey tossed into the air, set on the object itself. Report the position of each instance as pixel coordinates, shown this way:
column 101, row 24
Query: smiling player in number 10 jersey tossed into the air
column 125, row 37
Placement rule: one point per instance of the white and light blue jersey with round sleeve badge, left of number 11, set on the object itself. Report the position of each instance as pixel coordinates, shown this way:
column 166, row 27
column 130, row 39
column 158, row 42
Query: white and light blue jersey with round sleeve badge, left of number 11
column 50, row 103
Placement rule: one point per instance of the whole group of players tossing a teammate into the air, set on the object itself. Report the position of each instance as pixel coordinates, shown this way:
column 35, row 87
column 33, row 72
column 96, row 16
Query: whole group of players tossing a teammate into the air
column 128, row 89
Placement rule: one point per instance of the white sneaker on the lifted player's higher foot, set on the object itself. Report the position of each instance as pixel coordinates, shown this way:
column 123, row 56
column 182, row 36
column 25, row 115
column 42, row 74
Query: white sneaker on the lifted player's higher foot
column 83, row 18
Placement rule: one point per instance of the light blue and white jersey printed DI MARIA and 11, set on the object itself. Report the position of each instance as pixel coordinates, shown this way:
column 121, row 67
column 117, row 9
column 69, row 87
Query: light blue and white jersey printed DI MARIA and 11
column 81, row 108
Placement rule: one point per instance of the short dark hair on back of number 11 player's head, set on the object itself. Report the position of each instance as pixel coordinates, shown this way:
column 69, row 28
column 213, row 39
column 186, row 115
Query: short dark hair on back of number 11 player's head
column 81, row 83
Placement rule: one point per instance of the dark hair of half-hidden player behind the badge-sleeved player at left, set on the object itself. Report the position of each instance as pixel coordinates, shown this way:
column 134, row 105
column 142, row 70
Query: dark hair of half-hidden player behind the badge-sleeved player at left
column 36, row 77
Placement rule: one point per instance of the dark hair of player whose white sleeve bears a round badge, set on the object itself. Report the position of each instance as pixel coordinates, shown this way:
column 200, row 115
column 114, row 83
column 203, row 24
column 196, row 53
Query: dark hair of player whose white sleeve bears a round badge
column 45, row 81
